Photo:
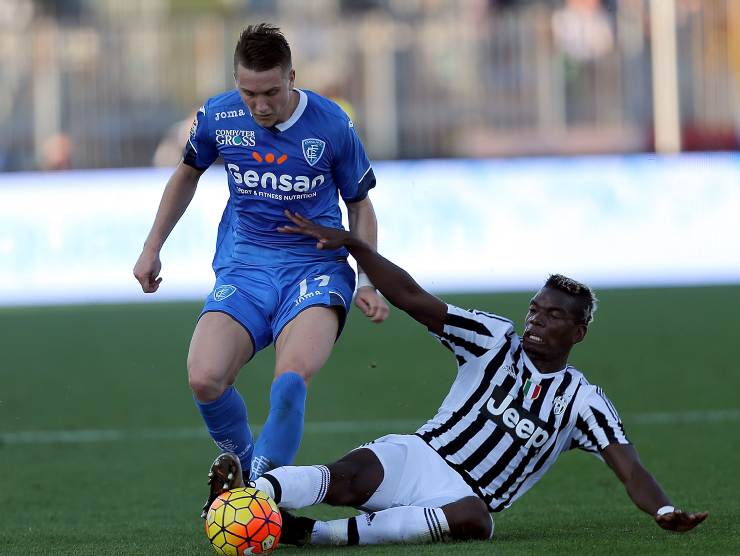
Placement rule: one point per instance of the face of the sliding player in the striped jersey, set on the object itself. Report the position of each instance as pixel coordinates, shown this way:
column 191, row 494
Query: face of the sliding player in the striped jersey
column 552, row 327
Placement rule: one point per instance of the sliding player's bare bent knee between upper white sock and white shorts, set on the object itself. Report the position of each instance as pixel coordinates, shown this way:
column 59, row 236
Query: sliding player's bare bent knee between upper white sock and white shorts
column 354, row 479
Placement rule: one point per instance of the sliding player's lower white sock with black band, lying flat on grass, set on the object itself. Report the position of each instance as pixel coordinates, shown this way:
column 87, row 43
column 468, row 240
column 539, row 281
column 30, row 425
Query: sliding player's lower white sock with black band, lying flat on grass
column 403, row 524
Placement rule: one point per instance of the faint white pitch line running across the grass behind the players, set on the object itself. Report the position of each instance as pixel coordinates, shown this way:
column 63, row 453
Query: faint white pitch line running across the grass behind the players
column 323, row 427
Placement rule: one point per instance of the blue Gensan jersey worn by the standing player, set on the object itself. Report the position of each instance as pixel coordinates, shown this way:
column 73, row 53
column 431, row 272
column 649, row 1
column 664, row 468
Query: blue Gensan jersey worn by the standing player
column 303, row 165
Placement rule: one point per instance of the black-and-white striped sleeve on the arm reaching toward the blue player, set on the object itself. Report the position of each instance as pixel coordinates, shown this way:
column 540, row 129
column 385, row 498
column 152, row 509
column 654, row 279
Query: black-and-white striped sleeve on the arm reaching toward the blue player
column 470, row 334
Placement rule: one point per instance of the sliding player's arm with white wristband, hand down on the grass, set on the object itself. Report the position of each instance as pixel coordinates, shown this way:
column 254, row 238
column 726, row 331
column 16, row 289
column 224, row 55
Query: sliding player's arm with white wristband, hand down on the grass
column 645, row 491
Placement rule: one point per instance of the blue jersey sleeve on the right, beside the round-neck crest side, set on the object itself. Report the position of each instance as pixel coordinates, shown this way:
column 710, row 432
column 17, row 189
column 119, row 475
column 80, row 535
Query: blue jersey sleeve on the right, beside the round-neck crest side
column 352, row 171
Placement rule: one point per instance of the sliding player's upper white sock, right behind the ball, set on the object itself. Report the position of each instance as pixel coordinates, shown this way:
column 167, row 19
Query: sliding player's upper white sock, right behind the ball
column 296, row 486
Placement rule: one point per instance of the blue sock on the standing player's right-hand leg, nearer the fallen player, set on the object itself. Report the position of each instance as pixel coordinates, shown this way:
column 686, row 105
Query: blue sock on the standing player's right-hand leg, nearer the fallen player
column 281, row 436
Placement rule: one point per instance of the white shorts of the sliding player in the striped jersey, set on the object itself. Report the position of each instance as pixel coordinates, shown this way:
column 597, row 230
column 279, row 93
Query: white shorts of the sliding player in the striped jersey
column 414, row 475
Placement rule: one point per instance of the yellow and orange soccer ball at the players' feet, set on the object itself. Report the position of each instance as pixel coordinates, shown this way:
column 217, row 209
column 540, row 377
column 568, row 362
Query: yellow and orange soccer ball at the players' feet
column 243, row 521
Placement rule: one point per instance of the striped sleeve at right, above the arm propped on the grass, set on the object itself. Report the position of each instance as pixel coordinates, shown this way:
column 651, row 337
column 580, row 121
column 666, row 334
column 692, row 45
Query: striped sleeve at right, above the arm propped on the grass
column 597, row 424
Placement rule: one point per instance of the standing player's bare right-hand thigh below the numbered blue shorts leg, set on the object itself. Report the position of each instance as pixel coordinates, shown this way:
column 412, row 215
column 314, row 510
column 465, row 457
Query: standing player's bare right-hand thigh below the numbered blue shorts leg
column 305, row 343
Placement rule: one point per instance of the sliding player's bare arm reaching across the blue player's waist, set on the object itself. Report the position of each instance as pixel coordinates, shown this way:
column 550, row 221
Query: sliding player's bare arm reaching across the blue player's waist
column 393, row 282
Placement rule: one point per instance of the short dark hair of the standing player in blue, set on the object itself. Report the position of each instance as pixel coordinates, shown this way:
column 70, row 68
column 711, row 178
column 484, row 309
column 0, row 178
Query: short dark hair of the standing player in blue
column 262, row 47
